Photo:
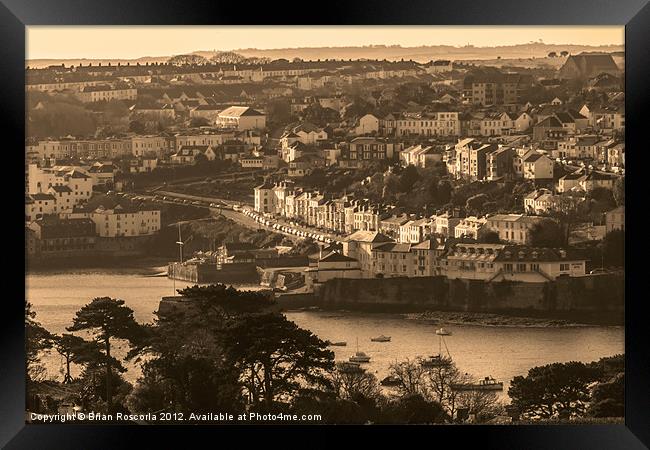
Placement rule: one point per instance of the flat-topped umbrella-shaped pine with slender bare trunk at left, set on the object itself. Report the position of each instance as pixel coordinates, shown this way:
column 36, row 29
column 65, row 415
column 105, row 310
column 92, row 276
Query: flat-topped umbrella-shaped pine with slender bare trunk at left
column 107, row 319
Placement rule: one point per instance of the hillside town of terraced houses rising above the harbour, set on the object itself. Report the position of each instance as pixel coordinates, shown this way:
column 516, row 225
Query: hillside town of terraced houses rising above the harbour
column 395, row 168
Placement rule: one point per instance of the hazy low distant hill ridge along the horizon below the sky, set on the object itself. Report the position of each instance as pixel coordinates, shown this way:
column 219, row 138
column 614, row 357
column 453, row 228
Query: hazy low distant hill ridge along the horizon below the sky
column 392, row 52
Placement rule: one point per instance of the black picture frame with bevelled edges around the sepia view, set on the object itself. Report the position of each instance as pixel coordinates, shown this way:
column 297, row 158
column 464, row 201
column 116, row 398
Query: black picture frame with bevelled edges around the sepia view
column 634, row 14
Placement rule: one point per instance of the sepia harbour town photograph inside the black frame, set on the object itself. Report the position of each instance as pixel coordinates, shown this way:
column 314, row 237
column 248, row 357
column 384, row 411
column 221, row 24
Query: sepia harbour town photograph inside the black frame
column 317, row 225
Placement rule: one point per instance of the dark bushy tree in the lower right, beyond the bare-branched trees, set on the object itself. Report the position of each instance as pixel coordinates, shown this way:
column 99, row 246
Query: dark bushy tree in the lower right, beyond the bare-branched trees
column 559, row 389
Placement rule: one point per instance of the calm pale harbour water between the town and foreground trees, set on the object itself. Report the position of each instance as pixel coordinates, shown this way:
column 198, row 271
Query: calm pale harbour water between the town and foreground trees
column 502, row 352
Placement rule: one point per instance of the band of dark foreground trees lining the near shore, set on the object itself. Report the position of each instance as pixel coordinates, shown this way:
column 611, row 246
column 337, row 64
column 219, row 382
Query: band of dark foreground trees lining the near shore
column 231, row 351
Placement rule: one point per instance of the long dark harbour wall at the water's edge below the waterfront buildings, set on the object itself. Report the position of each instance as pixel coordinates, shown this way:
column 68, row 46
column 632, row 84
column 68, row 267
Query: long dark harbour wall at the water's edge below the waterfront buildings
column 590, row 297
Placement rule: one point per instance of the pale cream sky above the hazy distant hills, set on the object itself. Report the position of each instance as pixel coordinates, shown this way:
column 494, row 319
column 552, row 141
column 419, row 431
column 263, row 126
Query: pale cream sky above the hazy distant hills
column 62, row 42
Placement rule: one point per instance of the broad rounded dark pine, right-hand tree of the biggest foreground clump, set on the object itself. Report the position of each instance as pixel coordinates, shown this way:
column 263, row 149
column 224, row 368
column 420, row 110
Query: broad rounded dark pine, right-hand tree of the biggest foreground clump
column 276, row 357
